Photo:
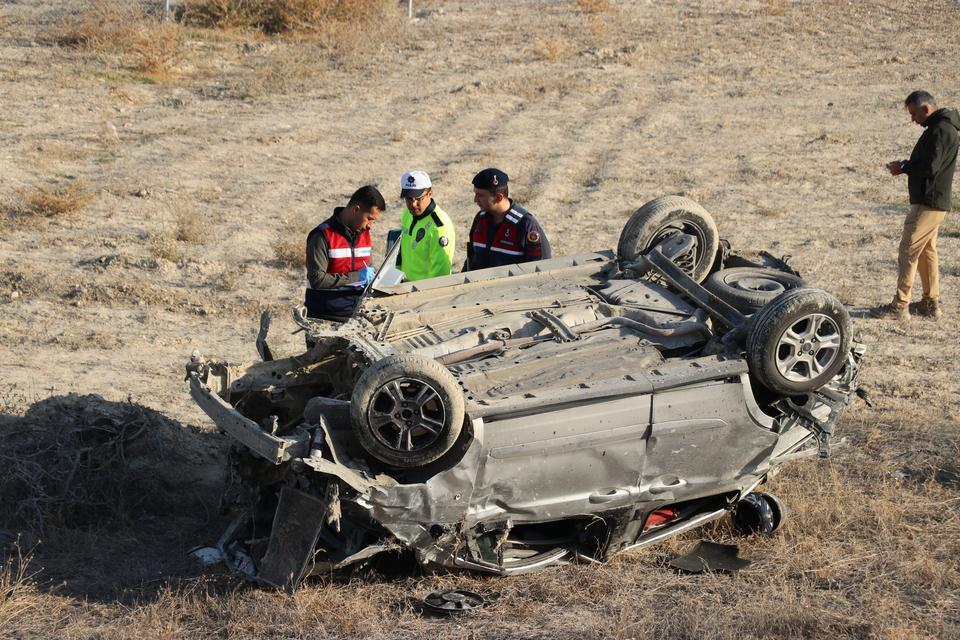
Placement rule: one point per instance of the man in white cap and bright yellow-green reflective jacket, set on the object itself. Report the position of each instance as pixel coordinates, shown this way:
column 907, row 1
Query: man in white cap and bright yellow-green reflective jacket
column 427, row 240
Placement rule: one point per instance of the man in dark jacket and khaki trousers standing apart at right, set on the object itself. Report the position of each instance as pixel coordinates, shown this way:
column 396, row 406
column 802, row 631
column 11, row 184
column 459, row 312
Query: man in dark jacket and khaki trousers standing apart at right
column 929, row 180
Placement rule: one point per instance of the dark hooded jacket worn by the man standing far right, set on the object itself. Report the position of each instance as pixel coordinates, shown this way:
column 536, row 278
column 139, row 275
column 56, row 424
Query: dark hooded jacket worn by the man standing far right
column 934, row 158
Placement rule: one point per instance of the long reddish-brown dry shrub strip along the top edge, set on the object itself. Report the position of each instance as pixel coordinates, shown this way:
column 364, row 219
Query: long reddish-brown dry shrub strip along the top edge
column 284, row 16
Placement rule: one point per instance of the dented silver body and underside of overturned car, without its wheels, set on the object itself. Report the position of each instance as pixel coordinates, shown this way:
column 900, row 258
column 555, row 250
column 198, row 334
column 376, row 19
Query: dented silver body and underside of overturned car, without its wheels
column 592, row 398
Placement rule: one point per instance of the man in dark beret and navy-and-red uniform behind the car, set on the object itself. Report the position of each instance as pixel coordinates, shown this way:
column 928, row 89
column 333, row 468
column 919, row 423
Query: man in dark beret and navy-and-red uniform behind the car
column 502, row 232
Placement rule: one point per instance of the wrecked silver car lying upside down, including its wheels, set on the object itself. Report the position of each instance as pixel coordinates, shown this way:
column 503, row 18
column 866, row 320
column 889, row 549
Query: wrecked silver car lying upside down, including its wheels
column 507, row 419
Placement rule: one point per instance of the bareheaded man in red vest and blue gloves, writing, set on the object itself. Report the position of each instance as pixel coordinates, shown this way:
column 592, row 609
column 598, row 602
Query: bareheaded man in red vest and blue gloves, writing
column 338, row 256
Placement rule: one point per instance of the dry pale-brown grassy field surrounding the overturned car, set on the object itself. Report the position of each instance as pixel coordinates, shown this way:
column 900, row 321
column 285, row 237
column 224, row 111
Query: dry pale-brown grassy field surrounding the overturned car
column 157, row 181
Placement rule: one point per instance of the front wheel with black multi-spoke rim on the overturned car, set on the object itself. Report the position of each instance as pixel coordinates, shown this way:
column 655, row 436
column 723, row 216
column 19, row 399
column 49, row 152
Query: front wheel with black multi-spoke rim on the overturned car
column 407, row 410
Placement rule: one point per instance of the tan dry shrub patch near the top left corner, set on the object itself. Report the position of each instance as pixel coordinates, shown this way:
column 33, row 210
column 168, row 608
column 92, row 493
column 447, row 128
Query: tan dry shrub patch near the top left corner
column 127, row 29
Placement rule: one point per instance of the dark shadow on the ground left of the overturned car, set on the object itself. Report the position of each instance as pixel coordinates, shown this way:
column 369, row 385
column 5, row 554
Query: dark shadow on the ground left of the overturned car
column 107, row 497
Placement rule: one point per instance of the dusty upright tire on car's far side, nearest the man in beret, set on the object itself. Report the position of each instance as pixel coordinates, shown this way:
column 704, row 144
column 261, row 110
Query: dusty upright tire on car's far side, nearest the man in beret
column 664, row 217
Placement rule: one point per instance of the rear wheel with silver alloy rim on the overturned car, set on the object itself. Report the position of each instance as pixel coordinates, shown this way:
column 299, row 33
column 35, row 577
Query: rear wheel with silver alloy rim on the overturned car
column 799, row 341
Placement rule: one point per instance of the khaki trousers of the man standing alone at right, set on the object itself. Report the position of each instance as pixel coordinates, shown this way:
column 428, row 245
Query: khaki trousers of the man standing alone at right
column 918, row 251
